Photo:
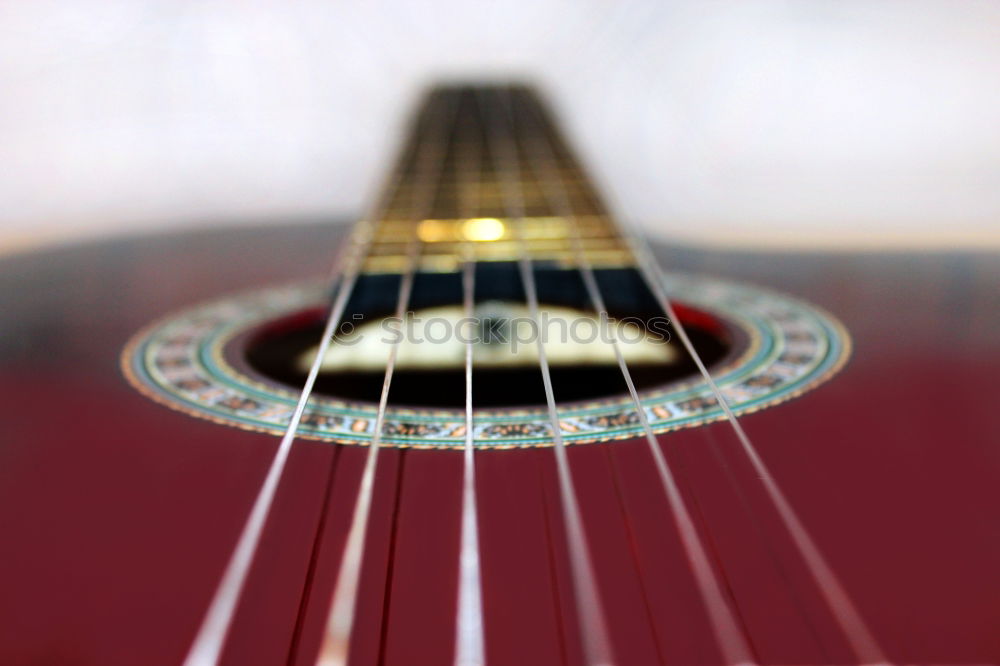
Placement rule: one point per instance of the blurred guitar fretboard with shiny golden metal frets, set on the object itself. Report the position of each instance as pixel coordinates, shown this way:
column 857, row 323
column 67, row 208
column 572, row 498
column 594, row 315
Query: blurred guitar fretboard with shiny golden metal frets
column 485, row 175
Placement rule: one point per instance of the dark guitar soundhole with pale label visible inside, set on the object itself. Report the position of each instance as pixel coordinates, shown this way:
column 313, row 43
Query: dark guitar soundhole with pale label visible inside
column 429, row 371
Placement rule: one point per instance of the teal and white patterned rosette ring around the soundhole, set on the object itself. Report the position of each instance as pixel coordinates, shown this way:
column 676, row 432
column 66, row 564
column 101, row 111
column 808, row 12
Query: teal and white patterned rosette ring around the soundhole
column 789, row 348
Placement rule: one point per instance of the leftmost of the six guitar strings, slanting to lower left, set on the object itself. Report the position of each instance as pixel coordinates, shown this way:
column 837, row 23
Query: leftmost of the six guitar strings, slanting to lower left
column 208, row 643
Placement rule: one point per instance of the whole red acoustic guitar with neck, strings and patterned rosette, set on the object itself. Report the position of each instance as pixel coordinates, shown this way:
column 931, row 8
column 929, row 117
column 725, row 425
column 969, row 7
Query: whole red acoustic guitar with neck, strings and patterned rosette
column 490, row 424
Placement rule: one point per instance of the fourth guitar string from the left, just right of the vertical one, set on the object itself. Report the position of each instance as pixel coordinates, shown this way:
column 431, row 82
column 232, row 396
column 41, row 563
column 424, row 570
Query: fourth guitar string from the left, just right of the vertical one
column 593, row 627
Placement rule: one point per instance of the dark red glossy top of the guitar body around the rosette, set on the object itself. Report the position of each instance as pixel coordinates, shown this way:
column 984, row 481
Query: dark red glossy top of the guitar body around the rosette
column 118, row 515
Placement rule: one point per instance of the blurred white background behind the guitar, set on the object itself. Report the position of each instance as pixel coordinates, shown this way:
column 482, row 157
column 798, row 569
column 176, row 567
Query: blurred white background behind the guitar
column 831, row 124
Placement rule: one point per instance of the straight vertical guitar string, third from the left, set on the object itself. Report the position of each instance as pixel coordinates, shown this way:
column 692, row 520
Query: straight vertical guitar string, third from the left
column 469, row 640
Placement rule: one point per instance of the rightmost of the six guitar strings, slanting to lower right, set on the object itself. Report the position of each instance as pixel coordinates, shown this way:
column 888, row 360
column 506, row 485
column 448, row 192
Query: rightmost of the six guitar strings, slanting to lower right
column 853, row 626
